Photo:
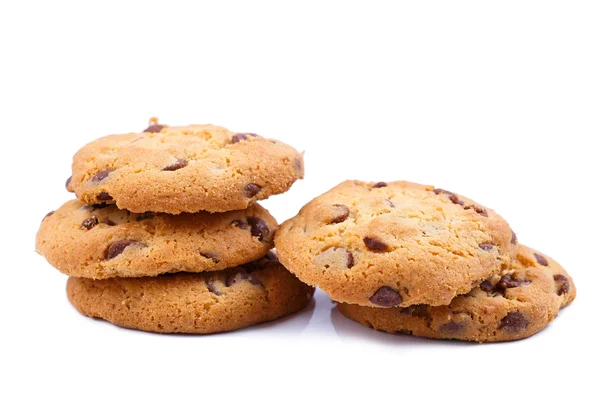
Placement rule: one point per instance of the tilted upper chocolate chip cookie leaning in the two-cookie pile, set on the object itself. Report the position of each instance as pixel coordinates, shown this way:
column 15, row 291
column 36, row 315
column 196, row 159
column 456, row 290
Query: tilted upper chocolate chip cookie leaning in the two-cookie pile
column 394, row 244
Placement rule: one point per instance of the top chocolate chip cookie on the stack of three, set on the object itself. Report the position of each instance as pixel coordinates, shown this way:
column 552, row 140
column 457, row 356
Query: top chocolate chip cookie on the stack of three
column 183, row 169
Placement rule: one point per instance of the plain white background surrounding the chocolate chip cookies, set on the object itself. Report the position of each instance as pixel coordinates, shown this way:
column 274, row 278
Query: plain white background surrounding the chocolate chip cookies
column 497, row 101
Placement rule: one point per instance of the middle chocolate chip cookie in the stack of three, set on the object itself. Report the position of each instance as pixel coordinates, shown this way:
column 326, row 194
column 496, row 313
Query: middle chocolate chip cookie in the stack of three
column 102, row 241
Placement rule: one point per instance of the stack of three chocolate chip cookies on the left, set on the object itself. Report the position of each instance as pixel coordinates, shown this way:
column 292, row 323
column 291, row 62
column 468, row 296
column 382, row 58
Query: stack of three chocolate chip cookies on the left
column 165, row 234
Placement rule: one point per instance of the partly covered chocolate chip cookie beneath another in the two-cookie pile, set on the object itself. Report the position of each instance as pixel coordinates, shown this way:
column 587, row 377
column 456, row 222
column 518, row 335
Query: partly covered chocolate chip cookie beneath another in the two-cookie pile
column 515, row 304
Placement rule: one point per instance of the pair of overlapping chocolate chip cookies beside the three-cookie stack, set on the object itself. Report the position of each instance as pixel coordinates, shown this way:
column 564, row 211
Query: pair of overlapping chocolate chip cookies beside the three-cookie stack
column 406, row 258
